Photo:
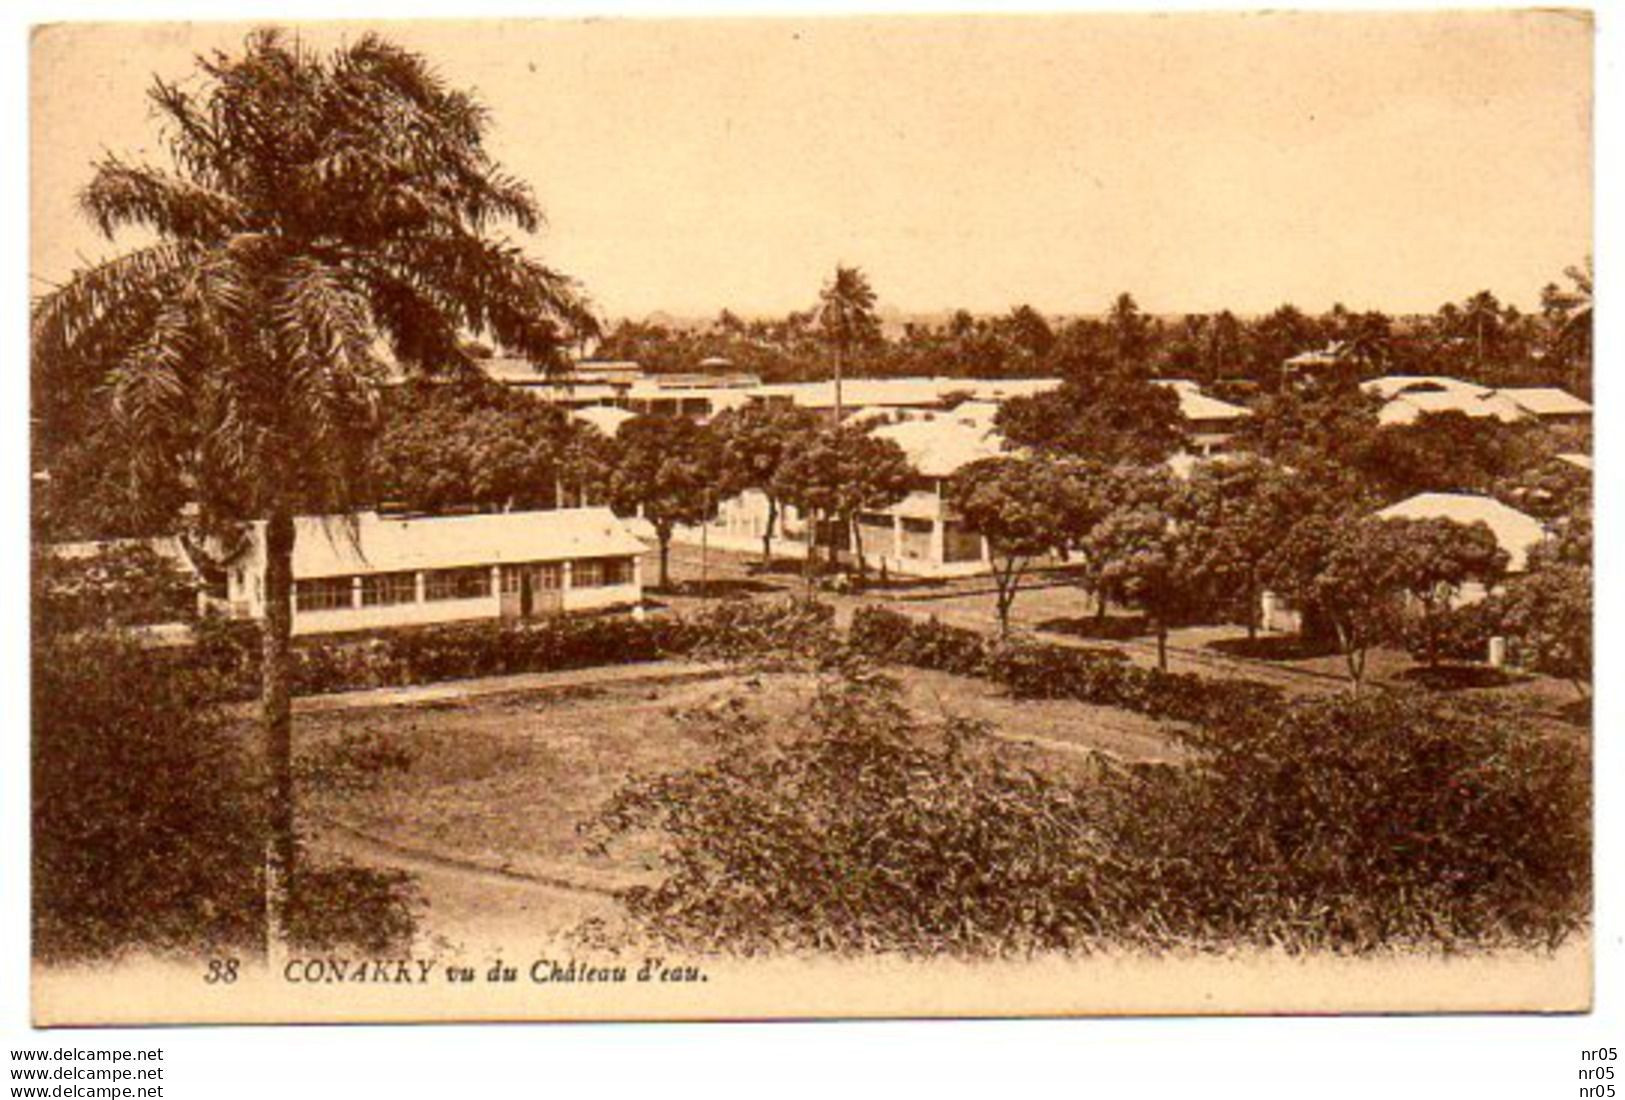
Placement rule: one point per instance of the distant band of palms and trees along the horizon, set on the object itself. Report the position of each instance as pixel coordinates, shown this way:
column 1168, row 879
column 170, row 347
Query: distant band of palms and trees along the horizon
column 1480, row 339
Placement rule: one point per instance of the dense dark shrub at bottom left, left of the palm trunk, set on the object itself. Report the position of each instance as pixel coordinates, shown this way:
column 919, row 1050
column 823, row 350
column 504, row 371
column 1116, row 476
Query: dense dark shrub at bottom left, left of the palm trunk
column 145, row 818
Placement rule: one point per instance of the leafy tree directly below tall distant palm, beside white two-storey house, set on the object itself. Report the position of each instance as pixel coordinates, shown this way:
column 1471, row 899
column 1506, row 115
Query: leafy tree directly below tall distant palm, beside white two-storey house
column 841, row 474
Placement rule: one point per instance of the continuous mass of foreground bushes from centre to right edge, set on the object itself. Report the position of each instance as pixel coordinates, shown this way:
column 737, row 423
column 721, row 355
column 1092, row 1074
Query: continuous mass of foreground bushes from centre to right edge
column 1350, row 825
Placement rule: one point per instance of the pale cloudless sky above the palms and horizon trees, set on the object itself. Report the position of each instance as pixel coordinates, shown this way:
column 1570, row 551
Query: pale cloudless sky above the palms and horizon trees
column 1389, row 162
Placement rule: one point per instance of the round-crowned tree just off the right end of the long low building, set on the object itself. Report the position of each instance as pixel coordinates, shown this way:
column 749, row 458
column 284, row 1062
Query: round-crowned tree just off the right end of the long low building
column 664, row 469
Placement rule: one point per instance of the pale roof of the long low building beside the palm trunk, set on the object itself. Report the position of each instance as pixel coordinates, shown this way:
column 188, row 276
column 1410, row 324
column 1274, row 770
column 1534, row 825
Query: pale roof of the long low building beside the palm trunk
column 332, row 547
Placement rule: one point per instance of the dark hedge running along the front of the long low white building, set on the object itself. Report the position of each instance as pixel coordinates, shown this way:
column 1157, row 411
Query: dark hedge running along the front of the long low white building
column 467, row 651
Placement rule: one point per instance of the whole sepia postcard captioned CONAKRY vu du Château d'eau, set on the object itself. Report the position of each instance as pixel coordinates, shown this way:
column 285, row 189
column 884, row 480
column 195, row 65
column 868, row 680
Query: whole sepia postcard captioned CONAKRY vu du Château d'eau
column 963, row 516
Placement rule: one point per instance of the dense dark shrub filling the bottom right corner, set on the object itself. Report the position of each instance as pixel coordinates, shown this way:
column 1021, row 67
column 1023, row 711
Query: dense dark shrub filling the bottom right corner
column 1356, row 823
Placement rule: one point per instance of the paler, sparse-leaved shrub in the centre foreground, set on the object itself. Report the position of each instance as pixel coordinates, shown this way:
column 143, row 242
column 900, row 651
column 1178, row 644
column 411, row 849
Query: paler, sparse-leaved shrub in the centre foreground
column 862, row 833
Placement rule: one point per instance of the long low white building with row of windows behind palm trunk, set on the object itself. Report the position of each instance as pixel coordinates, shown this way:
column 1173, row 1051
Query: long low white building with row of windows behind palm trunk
column 370, row 571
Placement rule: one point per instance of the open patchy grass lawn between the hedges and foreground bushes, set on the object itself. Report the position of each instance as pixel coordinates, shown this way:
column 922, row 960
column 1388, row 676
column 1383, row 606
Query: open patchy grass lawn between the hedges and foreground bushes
column 506, row 782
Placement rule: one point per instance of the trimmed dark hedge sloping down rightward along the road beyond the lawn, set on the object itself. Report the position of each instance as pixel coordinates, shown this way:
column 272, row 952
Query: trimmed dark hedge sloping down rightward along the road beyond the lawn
column 1038, row 670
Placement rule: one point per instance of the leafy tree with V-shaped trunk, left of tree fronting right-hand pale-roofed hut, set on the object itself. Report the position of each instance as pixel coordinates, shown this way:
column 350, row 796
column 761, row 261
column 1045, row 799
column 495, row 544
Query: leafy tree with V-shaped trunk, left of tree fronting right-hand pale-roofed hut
column 1346, row 569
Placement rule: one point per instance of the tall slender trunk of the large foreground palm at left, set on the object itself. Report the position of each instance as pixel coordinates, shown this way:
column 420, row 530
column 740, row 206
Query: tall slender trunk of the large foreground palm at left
column 277, row 716
